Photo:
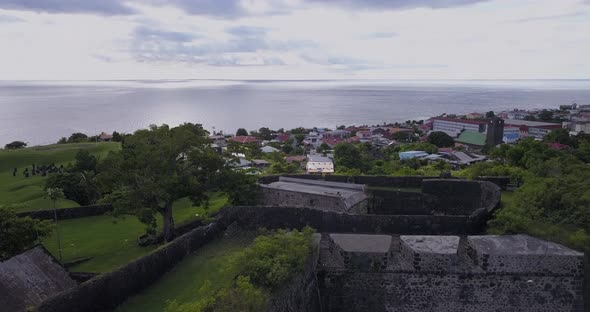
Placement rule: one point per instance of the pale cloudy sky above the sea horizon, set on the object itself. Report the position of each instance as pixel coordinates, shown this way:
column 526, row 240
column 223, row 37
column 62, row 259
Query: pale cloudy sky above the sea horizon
column 294, row 39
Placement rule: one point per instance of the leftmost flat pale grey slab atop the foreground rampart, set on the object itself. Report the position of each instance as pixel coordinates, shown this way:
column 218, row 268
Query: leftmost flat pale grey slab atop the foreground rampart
column 362, row 242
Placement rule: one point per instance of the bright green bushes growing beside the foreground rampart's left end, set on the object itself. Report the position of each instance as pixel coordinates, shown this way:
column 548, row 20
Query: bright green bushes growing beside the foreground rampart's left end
column 263, row 267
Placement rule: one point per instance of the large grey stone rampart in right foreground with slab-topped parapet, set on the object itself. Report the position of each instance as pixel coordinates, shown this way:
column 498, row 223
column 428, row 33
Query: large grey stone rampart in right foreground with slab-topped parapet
column 445, row 273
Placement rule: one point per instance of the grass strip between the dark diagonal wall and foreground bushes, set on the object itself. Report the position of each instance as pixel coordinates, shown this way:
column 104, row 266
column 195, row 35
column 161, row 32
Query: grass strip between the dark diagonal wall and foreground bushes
column 199, row 275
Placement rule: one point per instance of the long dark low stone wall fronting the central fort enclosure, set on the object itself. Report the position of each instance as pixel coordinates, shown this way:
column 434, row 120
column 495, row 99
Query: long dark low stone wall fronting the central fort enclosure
column 274, row 217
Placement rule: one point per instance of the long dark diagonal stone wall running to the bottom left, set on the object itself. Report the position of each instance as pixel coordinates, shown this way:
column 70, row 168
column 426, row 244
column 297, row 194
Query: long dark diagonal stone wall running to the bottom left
column 108, row 290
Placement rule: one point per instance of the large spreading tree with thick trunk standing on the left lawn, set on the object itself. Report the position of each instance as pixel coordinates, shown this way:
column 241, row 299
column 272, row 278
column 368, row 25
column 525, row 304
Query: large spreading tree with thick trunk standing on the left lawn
column 156, row 167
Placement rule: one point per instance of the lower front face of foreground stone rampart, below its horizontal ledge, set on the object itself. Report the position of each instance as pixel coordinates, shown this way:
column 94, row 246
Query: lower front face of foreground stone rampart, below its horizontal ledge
column 454, row 292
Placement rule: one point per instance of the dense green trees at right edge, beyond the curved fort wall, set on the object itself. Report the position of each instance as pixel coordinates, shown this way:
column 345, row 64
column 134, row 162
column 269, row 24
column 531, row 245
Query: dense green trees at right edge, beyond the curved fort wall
column 553, row 200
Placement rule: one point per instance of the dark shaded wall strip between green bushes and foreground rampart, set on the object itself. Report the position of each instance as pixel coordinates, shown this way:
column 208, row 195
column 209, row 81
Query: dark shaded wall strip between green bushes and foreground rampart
column 301, row 294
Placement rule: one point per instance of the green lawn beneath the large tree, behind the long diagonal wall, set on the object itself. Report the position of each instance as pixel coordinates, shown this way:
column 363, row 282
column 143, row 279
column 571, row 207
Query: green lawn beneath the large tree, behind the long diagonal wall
column 112, row 242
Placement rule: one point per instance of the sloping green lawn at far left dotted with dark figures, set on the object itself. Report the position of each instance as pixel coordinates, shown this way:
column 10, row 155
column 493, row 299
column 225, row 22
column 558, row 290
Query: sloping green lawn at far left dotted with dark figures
column 27, row 193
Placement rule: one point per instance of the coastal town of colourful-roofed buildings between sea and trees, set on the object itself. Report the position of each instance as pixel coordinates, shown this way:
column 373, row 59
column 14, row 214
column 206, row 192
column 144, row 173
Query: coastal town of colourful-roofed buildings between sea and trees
column 467, row 136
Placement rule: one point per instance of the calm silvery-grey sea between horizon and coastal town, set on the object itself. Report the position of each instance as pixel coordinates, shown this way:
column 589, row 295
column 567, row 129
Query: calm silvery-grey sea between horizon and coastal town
column 41, row 112
